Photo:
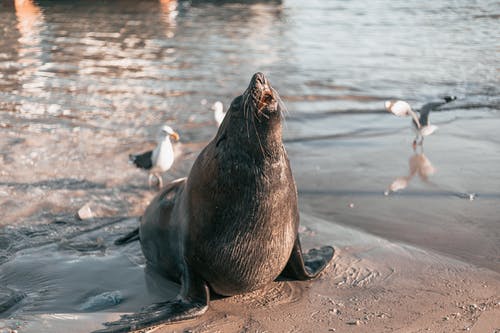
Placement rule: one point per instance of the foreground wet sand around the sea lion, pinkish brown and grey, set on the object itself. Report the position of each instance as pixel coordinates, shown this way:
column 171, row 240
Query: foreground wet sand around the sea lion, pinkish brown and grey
column 373, row 285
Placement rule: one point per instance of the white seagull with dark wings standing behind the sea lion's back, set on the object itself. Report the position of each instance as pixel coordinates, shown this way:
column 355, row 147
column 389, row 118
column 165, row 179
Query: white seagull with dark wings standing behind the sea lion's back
column 160, row 159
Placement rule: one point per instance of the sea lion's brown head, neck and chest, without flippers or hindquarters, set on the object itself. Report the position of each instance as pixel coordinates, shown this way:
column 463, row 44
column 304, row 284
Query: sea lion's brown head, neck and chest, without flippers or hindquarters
column 242, row 183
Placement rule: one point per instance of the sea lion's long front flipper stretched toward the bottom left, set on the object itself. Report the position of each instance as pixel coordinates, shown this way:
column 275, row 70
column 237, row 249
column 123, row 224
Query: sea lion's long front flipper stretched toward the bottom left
column 160, row 313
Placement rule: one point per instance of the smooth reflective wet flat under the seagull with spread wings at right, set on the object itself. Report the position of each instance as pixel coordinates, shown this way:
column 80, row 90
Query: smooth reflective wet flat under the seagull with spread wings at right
column 453, row 211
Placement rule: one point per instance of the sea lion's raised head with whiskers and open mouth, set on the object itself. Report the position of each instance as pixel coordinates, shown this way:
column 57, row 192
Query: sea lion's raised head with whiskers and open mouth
column 254, row 118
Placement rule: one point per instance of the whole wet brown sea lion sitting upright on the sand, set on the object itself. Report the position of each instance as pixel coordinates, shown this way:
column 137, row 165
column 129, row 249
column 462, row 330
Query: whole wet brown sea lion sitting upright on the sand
column 232, row 225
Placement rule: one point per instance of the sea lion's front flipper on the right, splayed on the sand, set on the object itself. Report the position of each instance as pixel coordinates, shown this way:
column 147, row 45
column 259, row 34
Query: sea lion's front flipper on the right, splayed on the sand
column 305, row 266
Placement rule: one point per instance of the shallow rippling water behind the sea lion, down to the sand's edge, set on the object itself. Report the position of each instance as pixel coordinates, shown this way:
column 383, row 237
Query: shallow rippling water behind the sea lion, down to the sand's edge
column 85, row 83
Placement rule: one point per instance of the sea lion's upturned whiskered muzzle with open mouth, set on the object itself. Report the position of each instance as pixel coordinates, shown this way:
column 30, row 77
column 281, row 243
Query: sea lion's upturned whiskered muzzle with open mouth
column 263, row 97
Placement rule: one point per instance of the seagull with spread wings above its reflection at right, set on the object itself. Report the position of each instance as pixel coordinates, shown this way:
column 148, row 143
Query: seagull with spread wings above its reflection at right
column 421, row 124
